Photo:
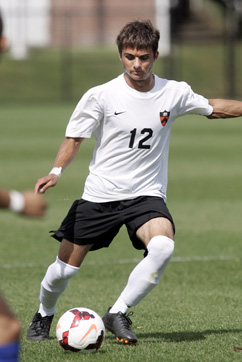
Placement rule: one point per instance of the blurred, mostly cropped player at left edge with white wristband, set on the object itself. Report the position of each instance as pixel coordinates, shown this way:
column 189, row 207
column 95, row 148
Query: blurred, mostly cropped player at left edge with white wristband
column 29, row 204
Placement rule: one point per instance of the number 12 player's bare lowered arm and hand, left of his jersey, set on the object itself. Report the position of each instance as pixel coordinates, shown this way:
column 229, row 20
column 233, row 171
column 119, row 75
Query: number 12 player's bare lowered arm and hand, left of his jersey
column 66, row 154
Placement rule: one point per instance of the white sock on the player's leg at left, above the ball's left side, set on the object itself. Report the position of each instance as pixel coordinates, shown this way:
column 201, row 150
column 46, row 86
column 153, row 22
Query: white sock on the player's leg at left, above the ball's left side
column 53, row 284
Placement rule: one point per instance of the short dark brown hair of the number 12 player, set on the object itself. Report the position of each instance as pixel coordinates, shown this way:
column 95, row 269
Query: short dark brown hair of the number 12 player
column 139, row 34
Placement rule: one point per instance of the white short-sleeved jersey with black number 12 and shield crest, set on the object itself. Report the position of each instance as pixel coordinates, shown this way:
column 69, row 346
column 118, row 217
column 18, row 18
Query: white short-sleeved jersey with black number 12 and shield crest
column 132, row 131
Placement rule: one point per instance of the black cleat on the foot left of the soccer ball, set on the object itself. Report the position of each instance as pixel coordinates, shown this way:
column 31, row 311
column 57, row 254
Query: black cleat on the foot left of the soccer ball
column 39, row 328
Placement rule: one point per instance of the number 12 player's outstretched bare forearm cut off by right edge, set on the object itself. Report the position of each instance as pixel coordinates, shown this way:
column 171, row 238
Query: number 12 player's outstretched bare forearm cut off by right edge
column 225, row 108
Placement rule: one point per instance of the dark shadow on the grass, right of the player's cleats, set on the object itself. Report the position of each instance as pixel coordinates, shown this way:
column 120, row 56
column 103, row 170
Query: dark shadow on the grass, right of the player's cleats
column 184, row 336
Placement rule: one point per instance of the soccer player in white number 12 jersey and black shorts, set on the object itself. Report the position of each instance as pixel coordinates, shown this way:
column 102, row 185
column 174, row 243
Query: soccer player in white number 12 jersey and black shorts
column 131, row 118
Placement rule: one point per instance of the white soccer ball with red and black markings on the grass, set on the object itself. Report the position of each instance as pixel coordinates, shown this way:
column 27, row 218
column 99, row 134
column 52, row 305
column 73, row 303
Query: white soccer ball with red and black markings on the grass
column 80, row 329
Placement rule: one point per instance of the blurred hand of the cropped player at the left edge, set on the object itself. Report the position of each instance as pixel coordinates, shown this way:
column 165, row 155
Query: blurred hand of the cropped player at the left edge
column 35, row 205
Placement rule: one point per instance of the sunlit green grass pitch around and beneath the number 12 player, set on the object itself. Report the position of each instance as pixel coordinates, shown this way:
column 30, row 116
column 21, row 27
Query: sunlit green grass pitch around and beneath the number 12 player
column 195, row 312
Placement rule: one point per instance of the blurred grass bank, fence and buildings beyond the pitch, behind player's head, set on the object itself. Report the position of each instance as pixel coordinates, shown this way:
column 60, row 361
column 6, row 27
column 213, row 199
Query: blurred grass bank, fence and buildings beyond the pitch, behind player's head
column 57, row 49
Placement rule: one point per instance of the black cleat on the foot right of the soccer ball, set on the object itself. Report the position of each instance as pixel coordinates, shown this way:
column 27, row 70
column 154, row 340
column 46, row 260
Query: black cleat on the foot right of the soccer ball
column 119, row 324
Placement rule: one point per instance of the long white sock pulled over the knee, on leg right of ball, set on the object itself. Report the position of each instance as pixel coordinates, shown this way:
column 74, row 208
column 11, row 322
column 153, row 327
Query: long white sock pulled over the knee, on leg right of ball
column 146, row 274
